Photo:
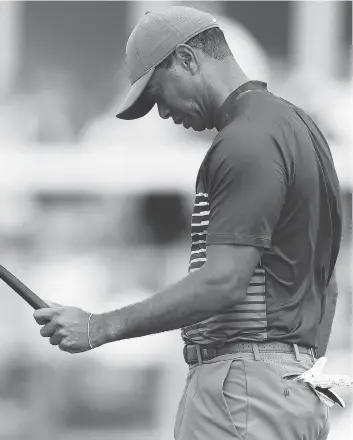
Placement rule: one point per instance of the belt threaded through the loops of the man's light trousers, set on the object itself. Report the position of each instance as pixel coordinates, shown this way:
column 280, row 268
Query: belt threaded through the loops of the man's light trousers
column 198, row 353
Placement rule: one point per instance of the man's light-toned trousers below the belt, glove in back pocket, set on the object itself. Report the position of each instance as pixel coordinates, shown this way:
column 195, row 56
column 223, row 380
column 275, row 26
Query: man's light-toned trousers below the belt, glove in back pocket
column 237, row 397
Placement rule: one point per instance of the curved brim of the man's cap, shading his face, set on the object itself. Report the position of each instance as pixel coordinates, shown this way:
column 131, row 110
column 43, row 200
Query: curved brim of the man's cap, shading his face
column 135, row 104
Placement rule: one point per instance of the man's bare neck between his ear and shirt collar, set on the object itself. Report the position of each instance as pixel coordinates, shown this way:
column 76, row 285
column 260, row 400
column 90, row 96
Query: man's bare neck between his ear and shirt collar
column 226, row 78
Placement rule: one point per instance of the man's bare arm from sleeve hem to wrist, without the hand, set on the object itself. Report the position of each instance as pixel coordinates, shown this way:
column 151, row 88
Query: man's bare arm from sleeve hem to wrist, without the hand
column 221, row 282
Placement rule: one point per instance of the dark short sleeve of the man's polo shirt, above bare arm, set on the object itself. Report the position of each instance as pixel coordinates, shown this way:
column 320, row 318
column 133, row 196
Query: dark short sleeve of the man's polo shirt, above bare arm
column 246, row 189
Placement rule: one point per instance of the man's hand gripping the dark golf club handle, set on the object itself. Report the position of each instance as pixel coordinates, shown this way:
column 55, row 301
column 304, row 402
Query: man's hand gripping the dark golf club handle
column 66, row 327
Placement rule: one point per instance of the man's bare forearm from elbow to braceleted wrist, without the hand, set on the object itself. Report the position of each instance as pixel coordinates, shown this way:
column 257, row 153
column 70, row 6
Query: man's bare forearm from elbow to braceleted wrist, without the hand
column 189, row 301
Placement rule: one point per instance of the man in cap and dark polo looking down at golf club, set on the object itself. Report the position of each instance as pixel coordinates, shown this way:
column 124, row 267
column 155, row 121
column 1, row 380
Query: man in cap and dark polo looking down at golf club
column 265, row 235
